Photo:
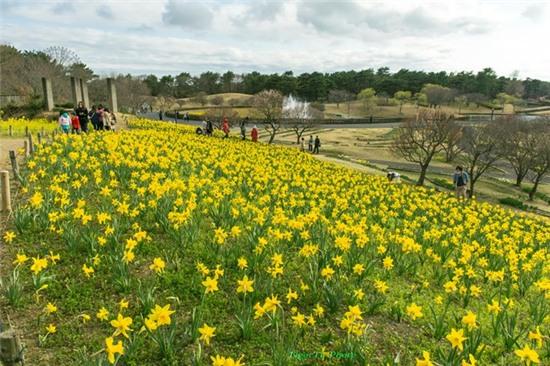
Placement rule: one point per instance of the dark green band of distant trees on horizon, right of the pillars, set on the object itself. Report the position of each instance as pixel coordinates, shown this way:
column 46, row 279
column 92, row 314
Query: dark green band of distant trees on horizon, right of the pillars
column 341, row 85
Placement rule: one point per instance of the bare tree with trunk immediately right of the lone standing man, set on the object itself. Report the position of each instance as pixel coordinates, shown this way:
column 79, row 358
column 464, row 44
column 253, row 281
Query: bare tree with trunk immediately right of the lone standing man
column 479, row 151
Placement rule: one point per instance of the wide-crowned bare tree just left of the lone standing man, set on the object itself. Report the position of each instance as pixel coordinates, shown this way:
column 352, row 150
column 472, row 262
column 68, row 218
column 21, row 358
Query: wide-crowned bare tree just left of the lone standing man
column 418, row 140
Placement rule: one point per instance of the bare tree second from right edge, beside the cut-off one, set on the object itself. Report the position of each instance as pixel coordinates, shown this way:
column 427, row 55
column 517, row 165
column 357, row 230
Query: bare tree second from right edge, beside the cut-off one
column 517, row 146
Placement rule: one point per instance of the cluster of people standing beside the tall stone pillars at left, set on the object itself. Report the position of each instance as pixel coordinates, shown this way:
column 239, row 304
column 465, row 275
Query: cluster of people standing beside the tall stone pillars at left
column 77, row 121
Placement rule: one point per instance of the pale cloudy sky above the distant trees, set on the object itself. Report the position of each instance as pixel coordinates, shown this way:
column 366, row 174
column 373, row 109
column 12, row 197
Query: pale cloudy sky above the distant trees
column 171, row 36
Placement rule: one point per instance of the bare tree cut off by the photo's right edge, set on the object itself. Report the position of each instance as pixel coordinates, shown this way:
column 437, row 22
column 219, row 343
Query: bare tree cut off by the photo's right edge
column 540, row 164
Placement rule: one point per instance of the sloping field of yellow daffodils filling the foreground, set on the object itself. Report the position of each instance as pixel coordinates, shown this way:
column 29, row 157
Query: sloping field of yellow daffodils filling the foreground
column 156, row 246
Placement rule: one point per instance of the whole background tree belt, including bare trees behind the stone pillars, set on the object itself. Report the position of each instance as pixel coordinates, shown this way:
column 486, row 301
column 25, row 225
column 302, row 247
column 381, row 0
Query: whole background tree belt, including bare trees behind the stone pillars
column 22, row 71
